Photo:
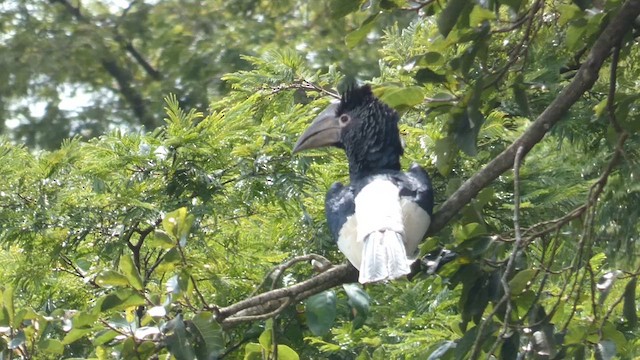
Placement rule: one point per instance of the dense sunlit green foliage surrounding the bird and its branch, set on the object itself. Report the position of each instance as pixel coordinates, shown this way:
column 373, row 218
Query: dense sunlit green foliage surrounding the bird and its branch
column 142, row 243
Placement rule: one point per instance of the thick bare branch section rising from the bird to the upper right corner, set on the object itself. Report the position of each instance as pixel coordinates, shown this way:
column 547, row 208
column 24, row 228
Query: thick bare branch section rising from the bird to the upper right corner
column 583, row 81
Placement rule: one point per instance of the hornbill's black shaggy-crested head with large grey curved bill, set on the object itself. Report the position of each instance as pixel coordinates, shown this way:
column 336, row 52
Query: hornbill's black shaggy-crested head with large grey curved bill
column 362, row 125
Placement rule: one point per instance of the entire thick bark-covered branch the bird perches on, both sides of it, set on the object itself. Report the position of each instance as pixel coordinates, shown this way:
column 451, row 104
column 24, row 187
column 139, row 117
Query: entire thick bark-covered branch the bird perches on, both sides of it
column 586, row 76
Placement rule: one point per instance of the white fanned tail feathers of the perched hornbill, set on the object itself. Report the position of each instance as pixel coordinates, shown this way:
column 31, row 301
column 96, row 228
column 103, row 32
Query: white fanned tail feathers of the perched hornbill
column 383, row 257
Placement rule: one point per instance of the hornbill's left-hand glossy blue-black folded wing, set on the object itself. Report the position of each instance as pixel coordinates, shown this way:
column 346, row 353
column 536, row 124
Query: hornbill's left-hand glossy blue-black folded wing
column 339, row 205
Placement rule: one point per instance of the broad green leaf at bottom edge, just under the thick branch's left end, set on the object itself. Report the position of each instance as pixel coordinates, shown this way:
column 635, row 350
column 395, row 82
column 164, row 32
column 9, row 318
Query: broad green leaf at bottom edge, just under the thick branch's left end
column 209, row 336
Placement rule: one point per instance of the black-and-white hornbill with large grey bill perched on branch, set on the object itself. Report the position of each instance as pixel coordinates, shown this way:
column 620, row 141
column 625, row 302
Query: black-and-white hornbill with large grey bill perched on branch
column 378, row 219
